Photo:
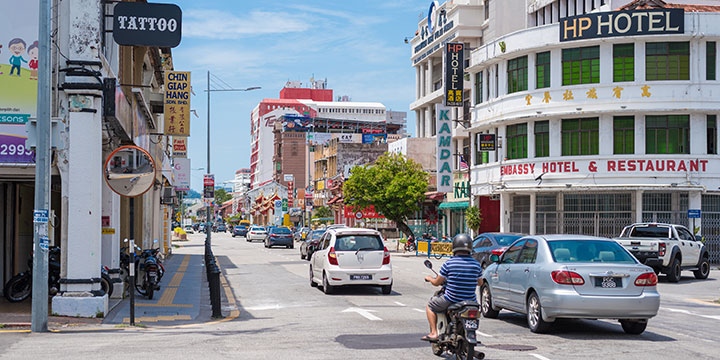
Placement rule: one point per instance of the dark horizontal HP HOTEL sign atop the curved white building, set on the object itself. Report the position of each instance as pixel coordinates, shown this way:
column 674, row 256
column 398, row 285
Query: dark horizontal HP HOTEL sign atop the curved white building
column 622, row 23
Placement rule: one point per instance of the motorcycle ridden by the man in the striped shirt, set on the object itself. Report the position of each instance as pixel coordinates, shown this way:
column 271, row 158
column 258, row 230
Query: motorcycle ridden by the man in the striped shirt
column 456, row 328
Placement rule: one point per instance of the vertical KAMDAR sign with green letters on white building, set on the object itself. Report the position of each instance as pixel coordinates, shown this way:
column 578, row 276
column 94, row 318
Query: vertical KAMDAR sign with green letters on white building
column 444, row 148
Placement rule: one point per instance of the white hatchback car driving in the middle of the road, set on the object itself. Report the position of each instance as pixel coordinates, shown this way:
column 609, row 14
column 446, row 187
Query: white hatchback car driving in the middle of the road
column 351, row 256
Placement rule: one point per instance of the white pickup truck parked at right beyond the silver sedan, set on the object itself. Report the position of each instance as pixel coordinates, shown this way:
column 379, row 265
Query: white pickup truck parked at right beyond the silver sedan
column 667, row 248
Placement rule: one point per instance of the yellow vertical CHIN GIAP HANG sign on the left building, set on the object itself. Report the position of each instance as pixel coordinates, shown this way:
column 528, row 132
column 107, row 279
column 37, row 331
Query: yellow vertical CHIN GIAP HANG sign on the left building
column 177, row 103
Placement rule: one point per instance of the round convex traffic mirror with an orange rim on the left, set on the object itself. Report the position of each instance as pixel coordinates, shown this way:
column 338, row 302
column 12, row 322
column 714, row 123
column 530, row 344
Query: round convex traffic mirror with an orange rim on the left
column 130, row 171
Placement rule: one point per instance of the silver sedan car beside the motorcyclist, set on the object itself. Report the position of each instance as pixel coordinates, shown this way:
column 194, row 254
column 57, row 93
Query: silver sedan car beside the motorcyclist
column 570, row 276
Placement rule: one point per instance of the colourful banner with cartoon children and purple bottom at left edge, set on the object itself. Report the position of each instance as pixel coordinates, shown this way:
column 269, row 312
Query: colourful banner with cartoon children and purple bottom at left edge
column 18, row 77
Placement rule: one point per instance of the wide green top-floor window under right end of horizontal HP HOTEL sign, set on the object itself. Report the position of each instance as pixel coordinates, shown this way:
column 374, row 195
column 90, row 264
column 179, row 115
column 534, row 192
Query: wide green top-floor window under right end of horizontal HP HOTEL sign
column 667, row 61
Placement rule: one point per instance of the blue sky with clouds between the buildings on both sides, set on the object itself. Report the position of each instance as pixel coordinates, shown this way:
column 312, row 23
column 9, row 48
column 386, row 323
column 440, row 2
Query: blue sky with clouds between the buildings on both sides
column 357, row 45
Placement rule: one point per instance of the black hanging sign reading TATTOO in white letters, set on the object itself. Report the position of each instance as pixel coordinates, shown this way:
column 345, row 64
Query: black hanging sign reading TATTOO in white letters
column 147, row 24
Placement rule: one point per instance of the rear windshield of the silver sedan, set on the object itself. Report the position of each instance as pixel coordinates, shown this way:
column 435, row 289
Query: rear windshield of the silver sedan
column 589, row 251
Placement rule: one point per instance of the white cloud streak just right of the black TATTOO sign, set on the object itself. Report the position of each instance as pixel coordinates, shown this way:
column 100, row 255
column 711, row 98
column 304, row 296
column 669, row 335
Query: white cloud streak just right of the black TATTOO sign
column 215, row 24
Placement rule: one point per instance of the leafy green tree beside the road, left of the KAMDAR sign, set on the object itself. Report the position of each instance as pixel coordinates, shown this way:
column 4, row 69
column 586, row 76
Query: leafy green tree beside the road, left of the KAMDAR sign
column 394, row 185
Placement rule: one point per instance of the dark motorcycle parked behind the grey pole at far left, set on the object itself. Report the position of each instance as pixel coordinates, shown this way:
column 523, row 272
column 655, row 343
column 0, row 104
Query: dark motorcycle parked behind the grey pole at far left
column 19, row 287
